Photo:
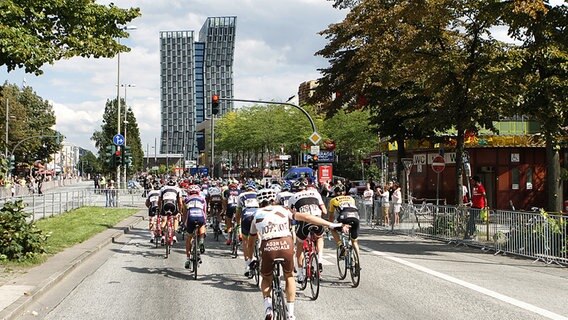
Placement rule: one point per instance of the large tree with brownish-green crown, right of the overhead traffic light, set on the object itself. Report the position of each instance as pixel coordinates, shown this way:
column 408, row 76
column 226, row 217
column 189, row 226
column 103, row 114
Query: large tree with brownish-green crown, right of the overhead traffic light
column 418, row 66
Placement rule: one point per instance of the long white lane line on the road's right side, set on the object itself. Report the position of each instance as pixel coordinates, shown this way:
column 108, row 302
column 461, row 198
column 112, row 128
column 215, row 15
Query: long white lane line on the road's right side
column 485, row 291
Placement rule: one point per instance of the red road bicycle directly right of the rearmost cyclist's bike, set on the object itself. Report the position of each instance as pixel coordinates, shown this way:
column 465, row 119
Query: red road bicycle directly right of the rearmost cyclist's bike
column 311, row 265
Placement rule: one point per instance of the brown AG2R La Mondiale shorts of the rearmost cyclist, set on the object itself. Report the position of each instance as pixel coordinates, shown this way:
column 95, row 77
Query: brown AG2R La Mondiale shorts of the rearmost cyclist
column 276, row 248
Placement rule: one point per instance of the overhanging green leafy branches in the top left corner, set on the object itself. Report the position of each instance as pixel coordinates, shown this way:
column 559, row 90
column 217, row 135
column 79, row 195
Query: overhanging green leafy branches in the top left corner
column 33, row 33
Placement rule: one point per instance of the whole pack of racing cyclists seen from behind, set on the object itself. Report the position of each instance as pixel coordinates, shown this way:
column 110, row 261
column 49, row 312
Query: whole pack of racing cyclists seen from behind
column 279, row 215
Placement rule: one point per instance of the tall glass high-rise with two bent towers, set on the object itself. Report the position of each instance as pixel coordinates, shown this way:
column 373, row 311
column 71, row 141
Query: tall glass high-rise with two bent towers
column 191, row 72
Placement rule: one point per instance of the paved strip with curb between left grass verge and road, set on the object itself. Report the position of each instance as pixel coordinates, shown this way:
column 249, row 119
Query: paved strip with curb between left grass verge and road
column 18, row 293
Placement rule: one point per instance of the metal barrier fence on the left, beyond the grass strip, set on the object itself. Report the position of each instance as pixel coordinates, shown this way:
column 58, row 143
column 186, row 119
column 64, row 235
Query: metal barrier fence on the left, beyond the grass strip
column 51, row 204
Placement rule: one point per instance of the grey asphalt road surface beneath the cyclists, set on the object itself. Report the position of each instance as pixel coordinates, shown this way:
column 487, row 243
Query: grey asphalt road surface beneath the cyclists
column 402, row 278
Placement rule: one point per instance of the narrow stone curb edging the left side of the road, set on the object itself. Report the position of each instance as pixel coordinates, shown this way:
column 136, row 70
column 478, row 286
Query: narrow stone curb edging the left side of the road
column 17, row 308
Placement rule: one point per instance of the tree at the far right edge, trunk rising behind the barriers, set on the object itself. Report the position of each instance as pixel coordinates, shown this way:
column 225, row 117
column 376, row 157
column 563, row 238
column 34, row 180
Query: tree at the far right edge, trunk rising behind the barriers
column 540, row 67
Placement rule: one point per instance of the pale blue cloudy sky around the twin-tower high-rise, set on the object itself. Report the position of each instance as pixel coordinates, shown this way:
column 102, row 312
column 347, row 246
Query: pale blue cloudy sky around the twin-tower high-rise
column 275, row 45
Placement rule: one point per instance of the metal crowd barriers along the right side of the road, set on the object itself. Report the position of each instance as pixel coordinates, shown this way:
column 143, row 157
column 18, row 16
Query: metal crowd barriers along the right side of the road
column 536, row 235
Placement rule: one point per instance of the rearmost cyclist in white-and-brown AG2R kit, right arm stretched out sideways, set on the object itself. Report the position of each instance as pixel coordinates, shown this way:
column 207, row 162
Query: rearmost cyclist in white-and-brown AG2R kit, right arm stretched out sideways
column 271, row 225
